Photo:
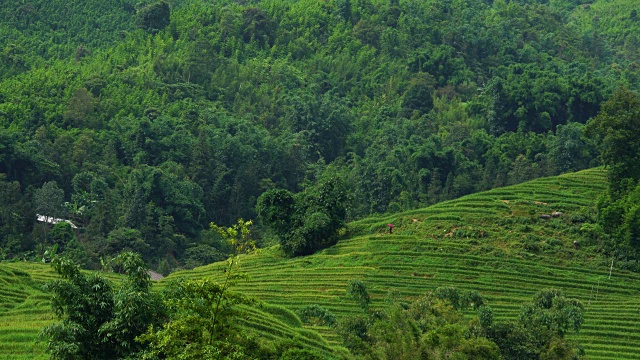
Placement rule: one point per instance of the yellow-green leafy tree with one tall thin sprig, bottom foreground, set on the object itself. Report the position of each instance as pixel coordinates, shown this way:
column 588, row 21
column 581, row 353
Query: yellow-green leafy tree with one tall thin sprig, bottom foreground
column 202, row 312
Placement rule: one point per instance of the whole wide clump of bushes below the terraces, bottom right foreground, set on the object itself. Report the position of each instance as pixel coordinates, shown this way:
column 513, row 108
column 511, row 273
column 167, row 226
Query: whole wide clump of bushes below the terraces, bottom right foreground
column 430, row 327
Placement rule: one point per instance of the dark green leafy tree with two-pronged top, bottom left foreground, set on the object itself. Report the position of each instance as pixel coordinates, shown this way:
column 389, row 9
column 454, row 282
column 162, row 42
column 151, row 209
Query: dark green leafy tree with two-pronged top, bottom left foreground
column 99, row 321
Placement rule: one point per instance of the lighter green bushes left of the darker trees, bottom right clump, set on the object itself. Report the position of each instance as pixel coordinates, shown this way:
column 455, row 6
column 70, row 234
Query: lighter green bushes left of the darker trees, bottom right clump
column 425, row 328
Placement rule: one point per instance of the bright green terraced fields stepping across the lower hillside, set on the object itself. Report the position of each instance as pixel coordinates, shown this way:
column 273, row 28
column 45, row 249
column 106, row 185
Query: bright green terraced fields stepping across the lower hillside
column 493, row 242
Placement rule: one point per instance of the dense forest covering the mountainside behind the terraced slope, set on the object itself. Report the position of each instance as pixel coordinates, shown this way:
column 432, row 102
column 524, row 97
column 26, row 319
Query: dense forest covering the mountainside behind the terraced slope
column 143, row 122
